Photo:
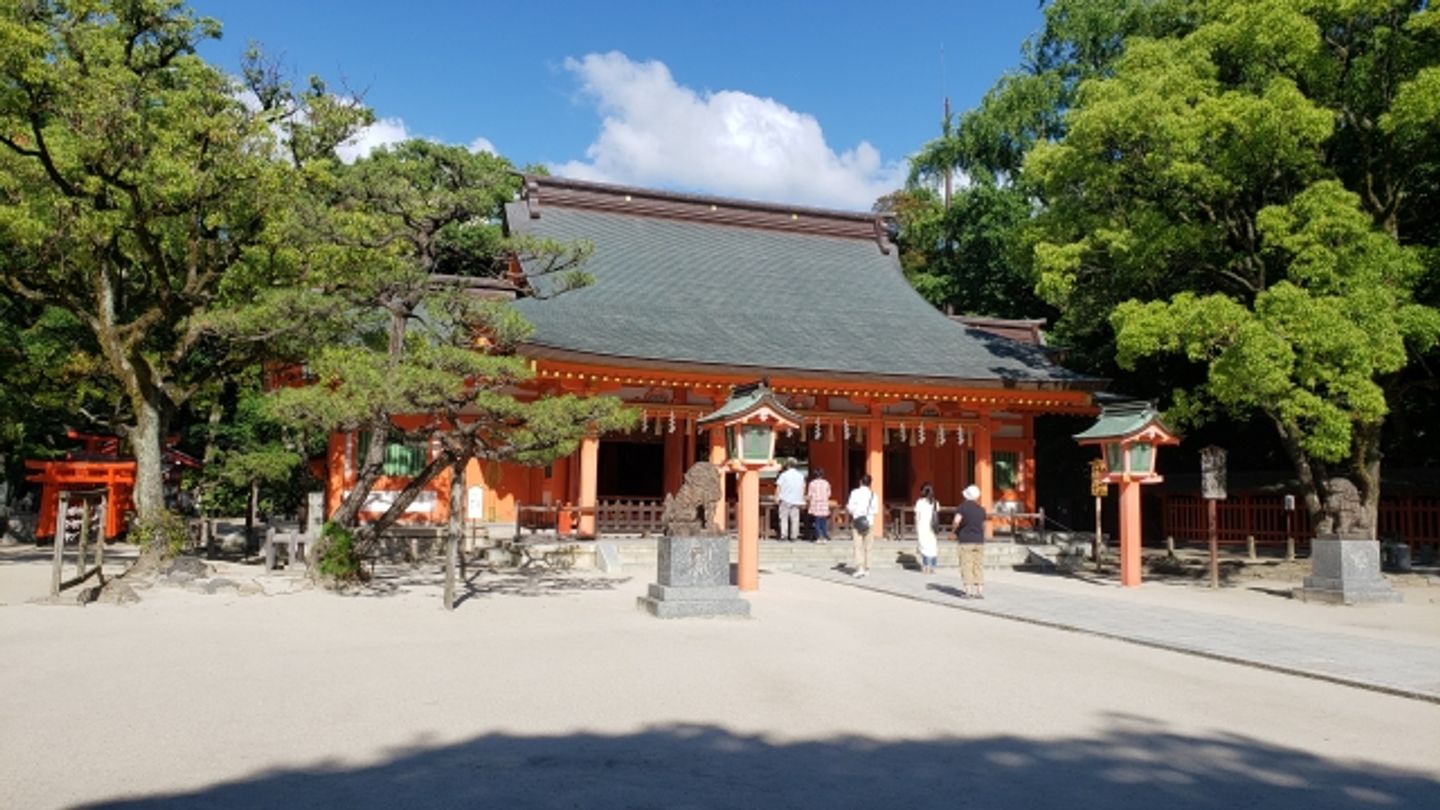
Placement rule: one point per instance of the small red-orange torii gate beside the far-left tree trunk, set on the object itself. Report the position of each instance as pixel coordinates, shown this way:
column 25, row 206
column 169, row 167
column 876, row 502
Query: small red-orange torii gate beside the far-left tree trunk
column 97, row 465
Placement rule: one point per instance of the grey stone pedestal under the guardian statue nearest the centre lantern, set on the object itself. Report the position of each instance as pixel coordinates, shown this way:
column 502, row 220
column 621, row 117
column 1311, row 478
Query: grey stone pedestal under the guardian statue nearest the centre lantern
column 693, row 579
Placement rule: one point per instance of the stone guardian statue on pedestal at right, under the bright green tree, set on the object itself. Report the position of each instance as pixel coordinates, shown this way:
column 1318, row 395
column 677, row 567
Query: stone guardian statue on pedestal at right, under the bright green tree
column 1344, row 558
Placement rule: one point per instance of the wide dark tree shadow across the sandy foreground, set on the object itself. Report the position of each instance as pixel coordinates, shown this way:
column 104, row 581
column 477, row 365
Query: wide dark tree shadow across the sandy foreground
column 1135, row 763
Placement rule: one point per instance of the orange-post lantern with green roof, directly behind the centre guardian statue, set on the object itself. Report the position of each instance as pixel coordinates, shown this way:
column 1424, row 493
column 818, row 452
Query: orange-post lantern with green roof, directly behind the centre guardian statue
column 751, row 420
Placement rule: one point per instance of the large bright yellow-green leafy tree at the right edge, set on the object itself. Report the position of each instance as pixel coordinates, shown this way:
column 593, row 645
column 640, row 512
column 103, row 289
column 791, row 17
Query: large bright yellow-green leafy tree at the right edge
column 1252, row 192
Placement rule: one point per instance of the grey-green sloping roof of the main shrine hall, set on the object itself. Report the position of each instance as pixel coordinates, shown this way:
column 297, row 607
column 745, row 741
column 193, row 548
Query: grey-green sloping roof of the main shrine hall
column 761, row 301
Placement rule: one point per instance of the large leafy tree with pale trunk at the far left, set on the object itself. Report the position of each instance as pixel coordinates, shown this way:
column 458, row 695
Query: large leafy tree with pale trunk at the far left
column 135, row 182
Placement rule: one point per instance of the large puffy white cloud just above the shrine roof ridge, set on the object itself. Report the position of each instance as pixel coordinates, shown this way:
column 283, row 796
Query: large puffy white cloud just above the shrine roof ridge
column 659, row 133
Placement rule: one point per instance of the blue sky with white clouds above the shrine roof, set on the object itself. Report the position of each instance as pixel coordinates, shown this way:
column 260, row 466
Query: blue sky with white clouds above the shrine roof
column 809, row 103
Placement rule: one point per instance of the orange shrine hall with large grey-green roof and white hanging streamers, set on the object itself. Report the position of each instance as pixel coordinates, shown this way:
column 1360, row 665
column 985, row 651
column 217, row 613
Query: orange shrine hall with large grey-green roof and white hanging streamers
column 696, row 295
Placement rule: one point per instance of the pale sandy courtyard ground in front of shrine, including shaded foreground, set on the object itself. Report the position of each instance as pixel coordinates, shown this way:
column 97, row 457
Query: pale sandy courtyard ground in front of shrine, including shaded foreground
column 554, row 691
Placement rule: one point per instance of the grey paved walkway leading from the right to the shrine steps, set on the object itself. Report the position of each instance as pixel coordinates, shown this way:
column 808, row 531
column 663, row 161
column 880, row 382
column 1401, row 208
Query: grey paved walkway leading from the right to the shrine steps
column 1349, row 658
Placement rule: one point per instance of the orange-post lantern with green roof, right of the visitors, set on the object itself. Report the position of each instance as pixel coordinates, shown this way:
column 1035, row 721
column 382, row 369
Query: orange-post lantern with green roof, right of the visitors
column 1130, row 436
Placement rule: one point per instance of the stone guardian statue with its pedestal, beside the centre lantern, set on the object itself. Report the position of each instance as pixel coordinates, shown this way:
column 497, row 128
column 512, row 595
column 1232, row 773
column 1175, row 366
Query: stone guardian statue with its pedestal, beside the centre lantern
column 693, row 558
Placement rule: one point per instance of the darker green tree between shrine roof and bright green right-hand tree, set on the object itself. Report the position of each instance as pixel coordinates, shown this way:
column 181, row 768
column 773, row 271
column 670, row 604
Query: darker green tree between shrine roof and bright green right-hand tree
column 976, row 254
